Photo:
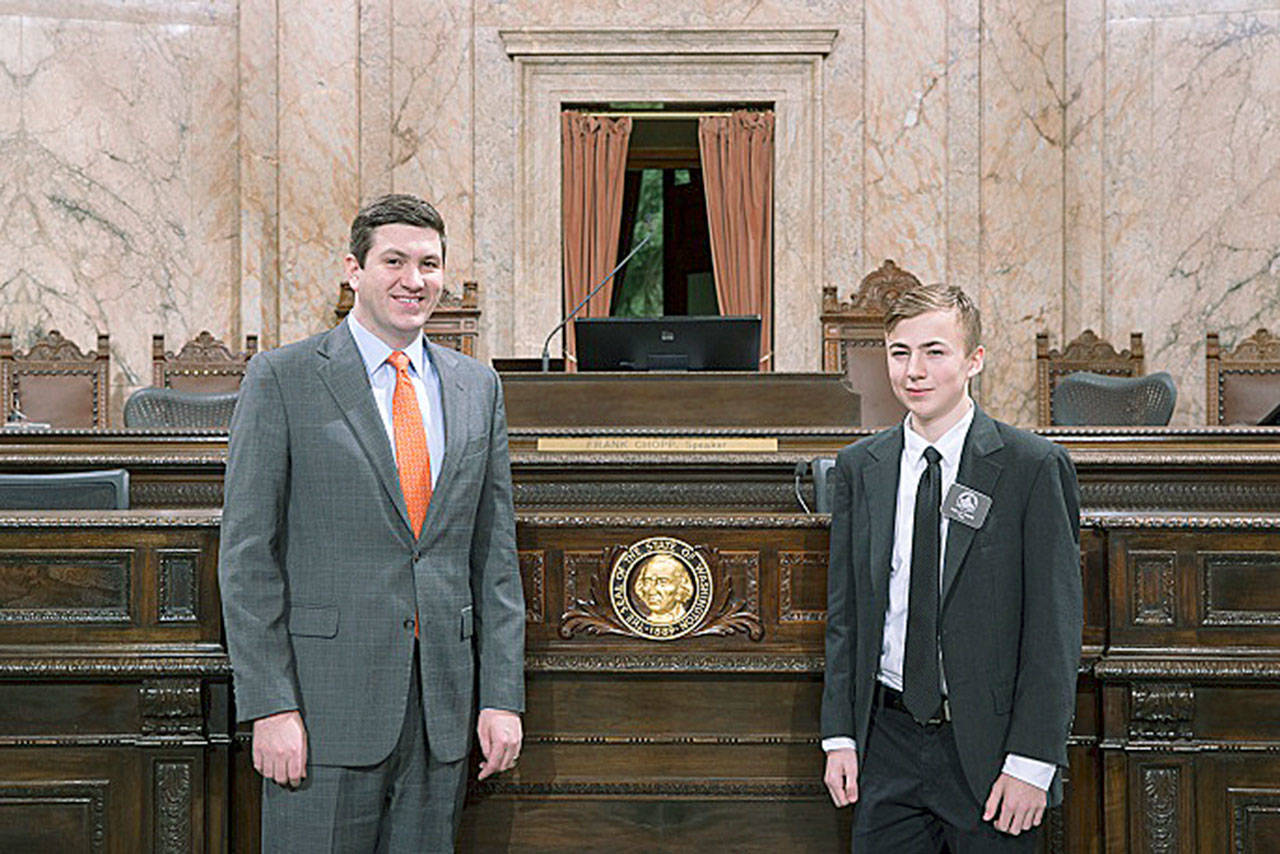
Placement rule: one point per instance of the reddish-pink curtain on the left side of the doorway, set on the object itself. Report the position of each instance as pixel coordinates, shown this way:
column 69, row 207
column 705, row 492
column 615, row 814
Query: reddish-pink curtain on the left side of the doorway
column 595, row 171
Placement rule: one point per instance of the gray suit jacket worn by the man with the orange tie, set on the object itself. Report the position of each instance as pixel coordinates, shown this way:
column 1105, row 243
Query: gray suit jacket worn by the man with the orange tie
column 321, row 576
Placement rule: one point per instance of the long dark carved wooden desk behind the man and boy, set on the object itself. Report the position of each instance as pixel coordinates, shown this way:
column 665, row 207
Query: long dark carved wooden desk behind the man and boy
column 707, row 742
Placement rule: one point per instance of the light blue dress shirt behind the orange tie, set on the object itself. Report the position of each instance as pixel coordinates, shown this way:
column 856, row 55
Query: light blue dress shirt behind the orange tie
column 427, row 385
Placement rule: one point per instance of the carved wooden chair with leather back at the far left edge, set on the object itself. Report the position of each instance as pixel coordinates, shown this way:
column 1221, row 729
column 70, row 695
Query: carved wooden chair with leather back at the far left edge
column 56, row 383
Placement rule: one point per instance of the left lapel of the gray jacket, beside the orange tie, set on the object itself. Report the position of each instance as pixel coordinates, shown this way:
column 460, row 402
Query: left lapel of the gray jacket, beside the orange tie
column 344, row 373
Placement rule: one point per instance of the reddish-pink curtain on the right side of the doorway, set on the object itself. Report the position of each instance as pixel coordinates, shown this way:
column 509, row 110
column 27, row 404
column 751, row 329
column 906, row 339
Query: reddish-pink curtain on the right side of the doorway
column 738, row 172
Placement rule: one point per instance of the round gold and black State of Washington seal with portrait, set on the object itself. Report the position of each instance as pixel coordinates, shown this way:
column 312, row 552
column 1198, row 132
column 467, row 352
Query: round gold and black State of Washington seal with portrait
column 661, row 588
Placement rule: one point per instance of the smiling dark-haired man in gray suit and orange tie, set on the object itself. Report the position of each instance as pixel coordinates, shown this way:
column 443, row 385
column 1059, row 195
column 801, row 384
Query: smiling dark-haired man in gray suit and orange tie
column 369, row 576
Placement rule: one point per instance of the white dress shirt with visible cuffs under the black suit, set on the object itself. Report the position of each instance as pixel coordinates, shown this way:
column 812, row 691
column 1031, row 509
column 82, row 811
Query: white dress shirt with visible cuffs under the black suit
column 912, row 465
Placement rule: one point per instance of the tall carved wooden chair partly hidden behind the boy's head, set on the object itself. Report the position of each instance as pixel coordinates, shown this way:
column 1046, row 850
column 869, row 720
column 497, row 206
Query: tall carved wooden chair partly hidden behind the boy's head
column 853, row 340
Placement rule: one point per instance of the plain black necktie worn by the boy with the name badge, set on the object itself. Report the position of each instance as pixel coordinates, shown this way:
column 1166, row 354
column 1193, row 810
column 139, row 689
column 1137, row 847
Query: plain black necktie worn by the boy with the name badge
column 922, row 689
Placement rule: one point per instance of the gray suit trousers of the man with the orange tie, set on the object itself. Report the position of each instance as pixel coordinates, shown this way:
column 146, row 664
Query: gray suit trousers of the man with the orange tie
column 408, row 803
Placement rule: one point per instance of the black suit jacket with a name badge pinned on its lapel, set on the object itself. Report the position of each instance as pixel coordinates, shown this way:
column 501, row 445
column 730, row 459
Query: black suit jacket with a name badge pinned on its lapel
column 1012, row 609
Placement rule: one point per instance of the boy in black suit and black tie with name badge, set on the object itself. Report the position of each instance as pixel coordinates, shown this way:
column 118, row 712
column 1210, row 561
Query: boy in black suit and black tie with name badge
column 954, row 608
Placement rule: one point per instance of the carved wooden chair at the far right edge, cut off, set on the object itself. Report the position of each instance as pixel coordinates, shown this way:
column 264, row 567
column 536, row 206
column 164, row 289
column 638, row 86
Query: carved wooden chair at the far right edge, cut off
column 1244, row 385
